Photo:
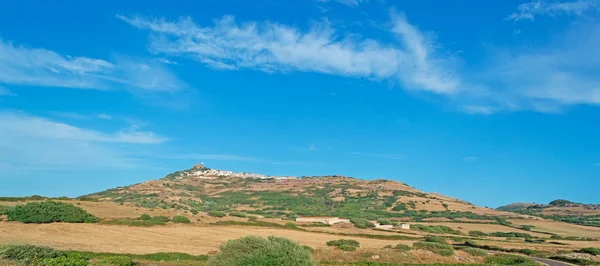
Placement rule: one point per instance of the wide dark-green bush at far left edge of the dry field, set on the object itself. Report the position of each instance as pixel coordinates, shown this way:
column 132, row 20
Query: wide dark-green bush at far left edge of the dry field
column 50, row 212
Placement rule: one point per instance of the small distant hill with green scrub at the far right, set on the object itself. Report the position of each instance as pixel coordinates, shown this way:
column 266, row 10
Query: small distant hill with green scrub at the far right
column 559, row 210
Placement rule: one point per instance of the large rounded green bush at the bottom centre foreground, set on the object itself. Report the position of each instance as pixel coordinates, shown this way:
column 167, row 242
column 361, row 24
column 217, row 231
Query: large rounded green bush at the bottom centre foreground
column 252, row 250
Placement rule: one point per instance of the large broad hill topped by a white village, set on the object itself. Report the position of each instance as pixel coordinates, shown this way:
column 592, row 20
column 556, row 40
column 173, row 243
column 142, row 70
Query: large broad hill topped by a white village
column 201, row 189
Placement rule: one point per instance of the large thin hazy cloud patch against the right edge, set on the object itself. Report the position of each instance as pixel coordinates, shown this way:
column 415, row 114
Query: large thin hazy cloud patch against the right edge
column 546, row 78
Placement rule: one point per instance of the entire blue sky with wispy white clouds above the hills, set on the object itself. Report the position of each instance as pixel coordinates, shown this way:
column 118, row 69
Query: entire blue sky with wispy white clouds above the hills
column 490, row 101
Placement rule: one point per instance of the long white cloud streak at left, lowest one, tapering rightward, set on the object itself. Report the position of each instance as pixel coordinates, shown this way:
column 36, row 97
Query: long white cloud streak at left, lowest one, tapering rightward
column 37, row 127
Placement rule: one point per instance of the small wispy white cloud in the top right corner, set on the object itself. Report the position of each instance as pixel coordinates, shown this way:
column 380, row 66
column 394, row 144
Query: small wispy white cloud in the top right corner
column 529, row 10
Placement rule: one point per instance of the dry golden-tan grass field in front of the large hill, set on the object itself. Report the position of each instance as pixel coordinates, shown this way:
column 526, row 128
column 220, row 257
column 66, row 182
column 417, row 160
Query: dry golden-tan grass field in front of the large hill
column 140, row 240
